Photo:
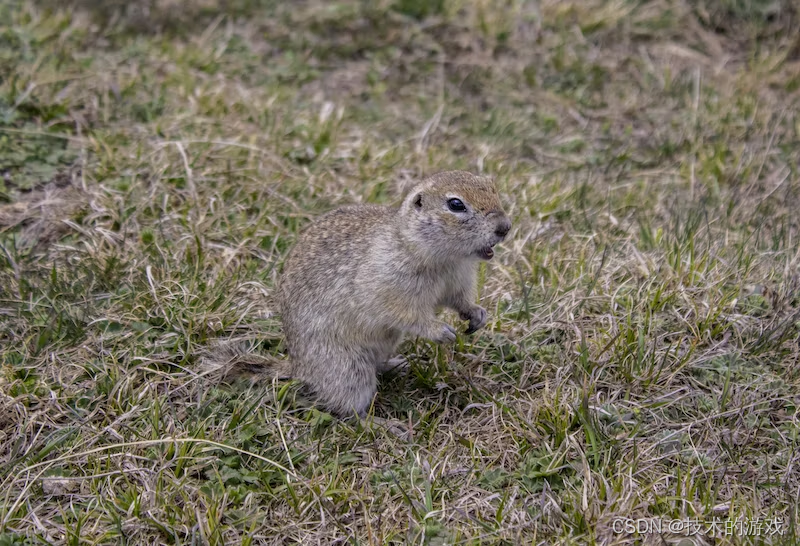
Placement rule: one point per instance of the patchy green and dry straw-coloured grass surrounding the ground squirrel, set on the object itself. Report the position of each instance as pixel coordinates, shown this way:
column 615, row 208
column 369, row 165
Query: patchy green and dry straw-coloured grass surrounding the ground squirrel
column 641, row 360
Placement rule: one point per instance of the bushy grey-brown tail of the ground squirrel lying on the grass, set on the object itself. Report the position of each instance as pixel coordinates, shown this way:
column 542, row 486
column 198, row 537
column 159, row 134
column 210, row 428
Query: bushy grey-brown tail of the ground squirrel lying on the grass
column 229, row 361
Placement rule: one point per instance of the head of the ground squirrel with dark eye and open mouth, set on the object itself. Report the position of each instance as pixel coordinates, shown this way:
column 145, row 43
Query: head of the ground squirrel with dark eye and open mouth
column 456, row 214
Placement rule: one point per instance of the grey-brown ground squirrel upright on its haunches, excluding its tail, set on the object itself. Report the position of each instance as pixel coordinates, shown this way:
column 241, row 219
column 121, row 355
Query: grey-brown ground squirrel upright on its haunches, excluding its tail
column 361, row 277
